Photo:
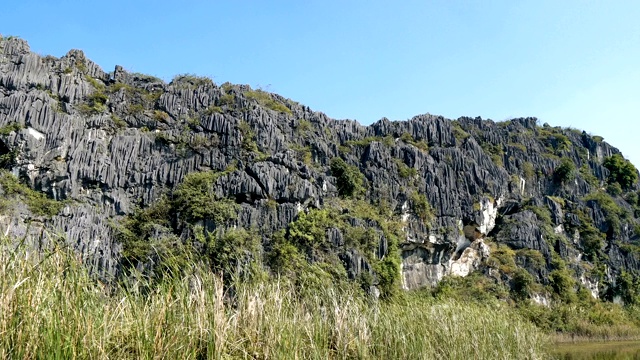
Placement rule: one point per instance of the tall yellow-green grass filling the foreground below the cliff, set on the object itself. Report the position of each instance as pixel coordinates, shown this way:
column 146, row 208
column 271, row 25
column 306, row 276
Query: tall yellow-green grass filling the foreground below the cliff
column 51, row 308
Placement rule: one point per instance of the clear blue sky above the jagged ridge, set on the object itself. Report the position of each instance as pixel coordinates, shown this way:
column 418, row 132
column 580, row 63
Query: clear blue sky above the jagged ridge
column 569, row 63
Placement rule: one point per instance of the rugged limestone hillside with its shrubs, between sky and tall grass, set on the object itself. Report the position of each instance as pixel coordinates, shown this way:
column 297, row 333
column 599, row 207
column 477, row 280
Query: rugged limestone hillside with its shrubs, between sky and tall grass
column 129, row 170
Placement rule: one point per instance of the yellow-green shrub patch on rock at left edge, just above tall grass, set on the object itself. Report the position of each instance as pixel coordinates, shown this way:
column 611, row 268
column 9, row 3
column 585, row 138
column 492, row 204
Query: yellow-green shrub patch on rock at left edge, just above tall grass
column 37, row 202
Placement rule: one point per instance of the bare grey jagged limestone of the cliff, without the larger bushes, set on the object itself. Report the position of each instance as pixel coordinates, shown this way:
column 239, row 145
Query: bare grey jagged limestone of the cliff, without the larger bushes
column 110, row 142
